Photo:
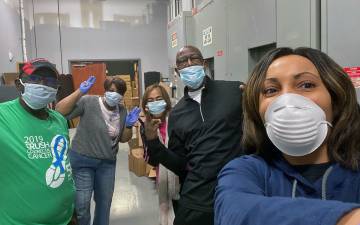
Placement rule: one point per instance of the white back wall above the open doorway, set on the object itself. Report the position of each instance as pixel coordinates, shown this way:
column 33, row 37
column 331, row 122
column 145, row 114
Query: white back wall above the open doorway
column 112, row 29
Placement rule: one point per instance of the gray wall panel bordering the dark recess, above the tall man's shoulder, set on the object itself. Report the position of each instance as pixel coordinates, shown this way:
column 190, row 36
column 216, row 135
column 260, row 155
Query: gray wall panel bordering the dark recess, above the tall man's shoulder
column 250, row 24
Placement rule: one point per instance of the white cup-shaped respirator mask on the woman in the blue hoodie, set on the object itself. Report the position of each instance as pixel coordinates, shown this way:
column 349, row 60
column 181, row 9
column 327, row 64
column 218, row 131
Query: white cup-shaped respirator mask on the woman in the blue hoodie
column 296, row 125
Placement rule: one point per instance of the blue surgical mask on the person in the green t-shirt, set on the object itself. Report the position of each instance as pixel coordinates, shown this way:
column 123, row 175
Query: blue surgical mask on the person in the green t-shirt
column 38, row 96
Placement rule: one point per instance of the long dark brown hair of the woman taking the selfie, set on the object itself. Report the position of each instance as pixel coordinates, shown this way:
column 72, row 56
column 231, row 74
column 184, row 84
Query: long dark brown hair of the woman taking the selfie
column 343, row 141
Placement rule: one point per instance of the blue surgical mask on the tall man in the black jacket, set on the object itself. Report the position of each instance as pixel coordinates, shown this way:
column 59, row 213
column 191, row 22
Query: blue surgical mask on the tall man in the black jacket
column 192, row 76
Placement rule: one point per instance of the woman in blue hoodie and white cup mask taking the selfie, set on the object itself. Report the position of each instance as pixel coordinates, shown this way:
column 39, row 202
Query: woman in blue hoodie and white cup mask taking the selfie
column 302, row 122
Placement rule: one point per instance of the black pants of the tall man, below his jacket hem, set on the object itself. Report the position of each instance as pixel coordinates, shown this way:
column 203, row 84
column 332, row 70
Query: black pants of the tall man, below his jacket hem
column 186, row 216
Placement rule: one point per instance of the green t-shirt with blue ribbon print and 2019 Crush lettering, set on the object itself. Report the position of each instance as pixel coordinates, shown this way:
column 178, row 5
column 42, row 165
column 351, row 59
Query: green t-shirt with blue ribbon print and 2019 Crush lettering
column 35, row 174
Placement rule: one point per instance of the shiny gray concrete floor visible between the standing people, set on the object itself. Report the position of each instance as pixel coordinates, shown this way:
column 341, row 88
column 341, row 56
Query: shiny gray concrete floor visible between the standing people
column 135, row 200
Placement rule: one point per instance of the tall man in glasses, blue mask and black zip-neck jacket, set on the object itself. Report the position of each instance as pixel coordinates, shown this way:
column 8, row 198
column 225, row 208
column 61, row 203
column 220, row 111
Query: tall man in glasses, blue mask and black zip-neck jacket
column 205, row 128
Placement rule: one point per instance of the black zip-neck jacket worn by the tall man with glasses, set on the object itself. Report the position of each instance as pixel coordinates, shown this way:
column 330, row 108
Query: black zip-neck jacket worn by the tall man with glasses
column 202, row 139
